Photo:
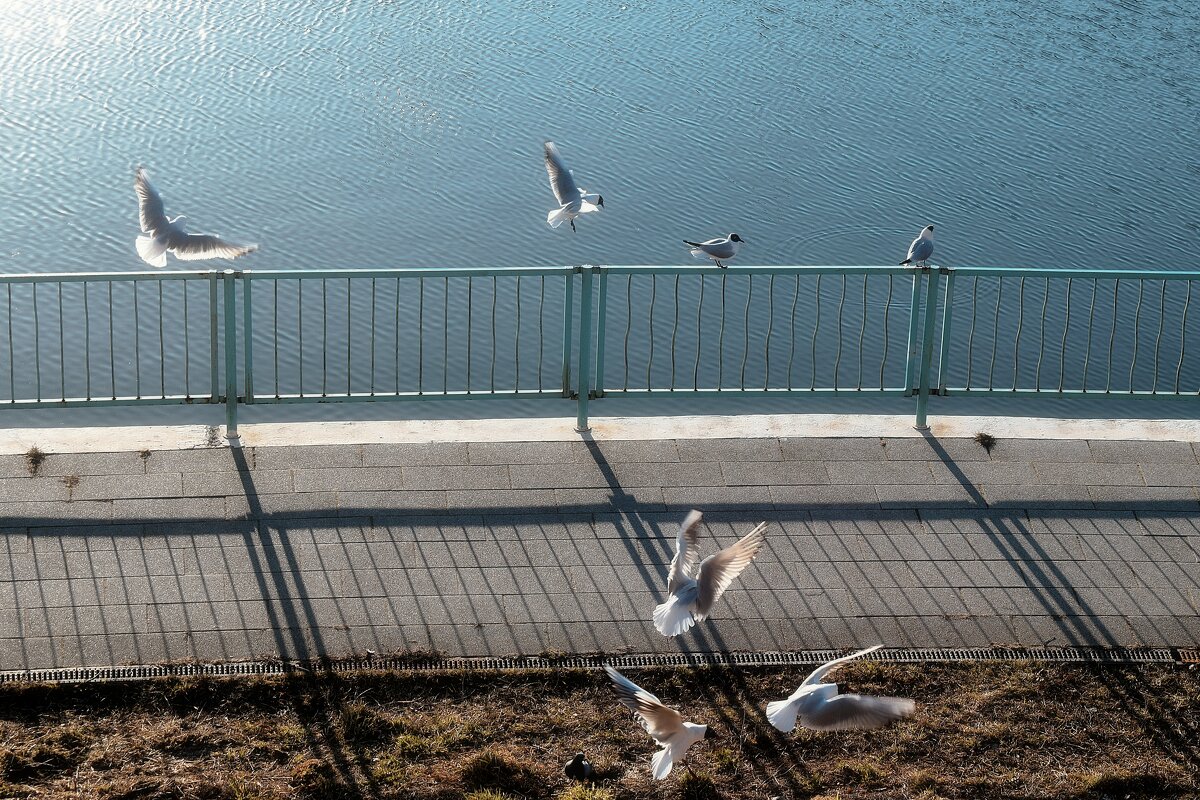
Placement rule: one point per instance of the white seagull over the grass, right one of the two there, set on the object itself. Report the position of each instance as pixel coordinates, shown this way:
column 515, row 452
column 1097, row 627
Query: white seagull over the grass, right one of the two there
column 821, row 708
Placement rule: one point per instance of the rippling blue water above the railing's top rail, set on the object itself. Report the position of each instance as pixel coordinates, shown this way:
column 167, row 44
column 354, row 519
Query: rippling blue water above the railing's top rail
column 410, row 135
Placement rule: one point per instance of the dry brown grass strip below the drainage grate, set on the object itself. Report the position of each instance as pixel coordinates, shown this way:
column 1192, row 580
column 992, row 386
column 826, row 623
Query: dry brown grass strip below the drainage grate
column 1011, row 731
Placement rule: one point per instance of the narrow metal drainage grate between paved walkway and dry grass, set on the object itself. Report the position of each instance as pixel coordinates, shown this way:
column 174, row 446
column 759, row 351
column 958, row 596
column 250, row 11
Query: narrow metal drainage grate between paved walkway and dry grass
column 623, row 661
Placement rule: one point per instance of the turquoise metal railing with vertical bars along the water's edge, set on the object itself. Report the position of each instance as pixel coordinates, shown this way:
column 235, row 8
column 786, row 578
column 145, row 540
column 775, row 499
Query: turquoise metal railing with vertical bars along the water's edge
column 643, row 332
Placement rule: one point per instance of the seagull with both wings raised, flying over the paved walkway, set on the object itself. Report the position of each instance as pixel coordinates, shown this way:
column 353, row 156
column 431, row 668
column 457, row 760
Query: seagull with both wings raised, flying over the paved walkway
column 695, row 590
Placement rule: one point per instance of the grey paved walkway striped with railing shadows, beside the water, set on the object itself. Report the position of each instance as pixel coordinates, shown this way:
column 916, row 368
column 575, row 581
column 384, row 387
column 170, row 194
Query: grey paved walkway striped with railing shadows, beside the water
column 501, row 548
